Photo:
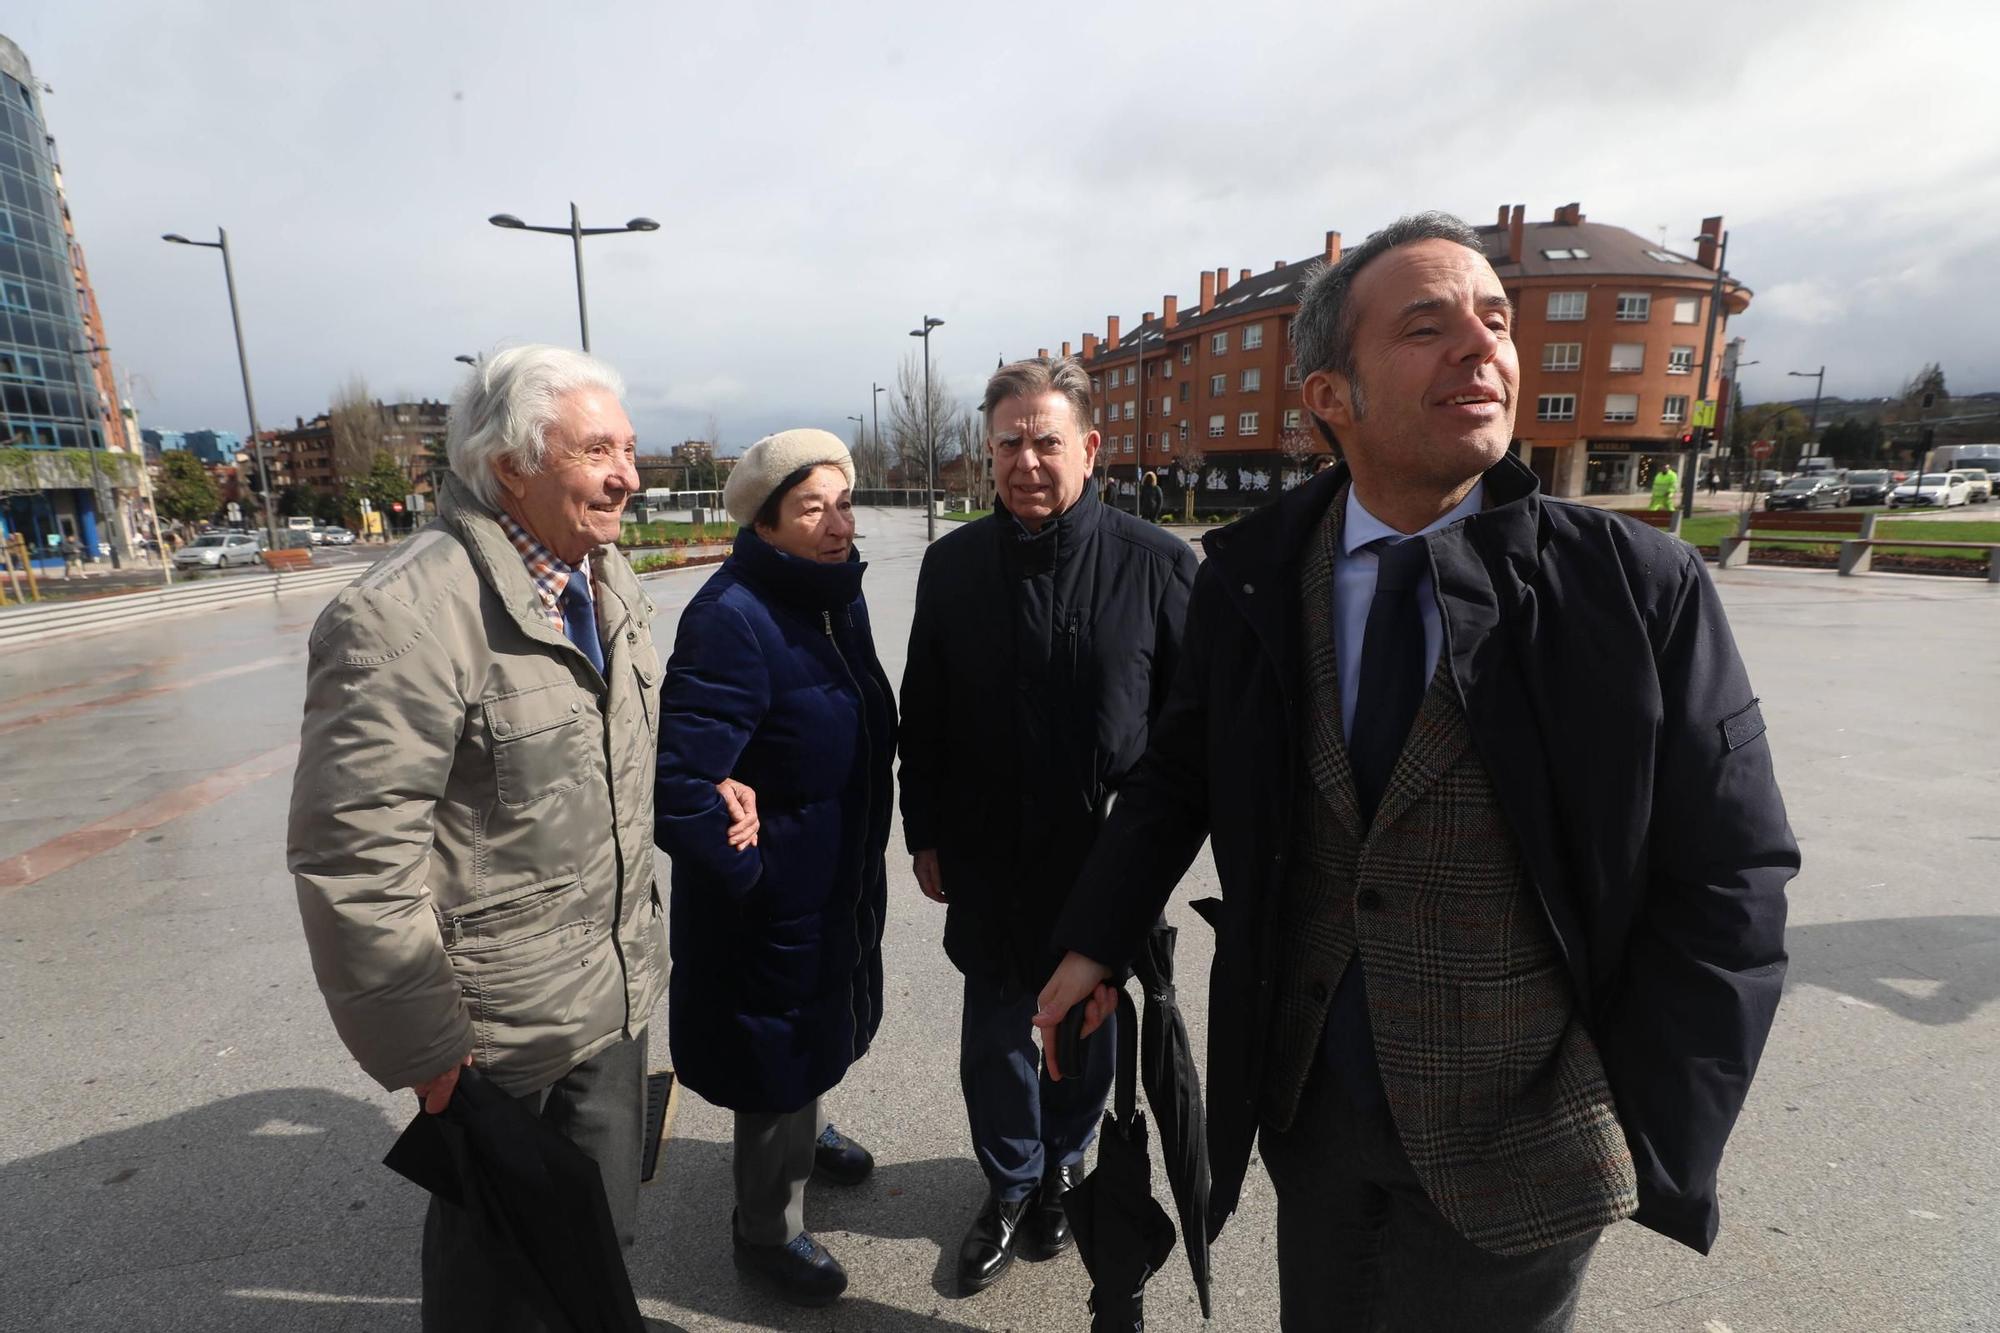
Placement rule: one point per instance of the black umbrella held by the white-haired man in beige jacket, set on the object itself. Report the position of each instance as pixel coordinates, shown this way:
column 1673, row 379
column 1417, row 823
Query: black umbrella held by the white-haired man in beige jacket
column 535, row 1198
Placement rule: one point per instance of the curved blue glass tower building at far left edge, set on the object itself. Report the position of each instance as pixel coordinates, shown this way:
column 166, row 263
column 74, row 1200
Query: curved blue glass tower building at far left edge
column 49, row 395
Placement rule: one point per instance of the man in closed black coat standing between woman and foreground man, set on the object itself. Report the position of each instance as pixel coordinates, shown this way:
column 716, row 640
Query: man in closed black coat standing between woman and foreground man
column 1041, row 651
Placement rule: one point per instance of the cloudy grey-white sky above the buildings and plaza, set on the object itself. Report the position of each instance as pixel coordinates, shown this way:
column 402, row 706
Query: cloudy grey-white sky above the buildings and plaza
column 829, row 175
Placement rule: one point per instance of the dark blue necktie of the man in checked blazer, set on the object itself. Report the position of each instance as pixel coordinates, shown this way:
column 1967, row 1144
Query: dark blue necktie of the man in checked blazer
column 1385, row 708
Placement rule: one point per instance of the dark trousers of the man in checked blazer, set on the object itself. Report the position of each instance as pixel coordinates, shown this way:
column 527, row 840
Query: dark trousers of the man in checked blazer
column 1363, row 1248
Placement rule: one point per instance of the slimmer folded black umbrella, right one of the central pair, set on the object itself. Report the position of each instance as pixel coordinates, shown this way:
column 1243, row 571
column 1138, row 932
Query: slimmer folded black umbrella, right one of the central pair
column 1175, row 1094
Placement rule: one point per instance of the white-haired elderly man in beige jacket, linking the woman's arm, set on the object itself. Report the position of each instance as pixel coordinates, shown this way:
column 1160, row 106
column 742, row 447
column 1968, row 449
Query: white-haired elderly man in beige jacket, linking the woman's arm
column 473, row 812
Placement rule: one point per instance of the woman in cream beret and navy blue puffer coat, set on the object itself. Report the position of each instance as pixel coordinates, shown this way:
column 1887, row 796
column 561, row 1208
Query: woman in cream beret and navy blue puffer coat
column 777, row 982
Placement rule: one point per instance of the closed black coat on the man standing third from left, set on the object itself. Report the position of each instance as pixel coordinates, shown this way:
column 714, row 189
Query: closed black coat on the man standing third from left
column 1037, row 668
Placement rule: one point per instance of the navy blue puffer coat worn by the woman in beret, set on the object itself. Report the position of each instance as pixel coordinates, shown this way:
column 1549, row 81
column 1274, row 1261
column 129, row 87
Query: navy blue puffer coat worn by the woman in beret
column 777, row 950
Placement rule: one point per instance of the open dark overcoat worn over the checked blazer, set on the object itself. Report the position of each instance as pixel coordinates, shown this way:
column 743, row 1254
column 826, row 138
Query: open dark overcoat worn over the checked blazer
column 1613, row 712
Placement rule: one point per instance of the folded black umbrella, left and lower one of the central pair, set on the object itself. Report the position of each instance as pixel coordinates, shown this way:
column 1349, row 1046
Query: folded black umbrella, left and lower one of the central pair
column 1123, row 1234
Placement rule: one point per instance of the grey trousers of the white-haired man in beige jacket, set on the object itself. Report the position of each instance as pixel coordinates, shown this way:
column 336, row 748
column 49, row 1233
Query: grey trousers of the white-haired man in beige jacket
column 601, row 1108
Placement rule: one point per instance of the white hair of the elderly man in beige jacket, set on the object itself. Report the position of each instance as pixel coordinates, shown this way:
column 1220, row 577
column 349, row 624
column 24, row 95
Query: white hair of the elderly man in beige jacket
column 507, row 405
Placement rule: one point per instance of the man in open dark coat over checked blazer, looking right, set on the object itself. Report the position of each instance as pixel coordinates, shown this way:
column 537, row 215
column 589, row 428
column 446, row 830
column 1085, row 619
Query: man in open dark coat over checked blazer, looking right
column 1501, row 850
